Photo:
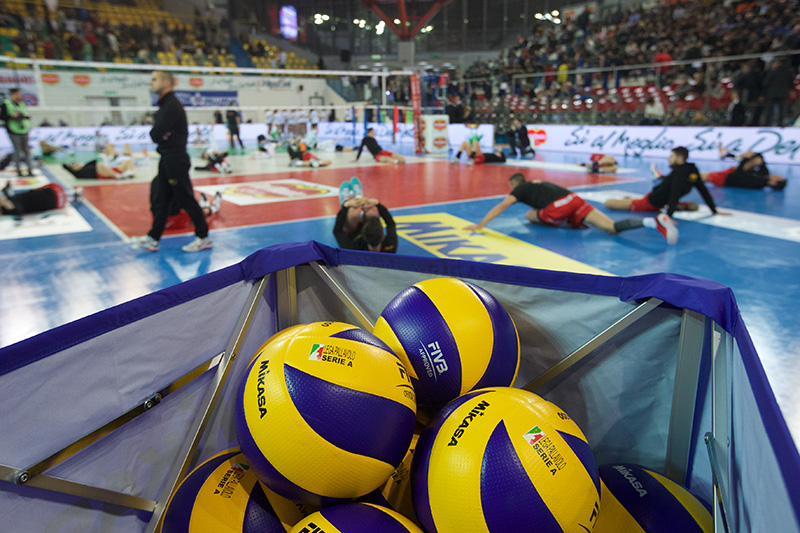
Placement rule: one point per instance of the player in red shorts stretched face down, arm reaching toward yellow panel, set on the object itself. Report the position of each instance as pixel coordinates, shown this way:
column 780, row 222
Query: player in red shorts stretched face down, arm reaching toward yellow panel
column 553, row 205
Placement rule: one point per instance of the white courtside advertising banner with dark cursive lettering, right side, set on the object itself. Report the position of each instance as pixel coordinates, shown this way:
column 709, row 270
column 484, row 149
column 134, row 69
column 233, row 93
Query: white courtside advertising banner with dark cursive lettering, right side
column 779, row 145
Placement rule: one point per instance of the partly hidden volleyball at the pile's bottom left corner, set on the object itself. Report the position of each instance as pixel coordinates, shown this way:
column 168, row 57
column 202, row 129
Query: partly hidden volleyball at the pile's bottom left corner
column 224, row 495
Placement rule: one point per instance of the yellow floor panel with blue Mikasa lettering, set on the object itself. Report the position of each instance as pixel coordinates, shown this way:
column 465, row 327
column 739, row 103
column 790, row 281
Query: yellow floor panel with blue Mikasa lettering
column 441, row 235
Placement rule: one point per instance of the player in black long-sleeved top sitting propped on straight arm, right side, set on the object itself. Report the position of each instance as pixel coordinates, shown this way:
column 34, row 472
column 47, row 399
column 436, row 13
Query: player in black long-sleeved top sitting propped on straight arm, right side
column 670, row 189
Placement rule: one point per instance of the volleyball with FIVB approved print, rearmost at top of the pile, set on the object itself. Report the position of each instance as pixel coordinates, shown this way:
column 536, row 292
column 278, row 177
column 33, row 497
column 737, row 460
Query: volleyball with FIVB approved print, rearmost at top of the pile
column 453, row 337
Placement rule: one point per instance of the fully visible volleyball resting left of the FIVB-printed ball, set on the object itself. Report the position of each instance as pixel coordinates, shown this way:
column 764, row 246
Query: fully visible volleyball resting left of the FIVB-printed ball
column 325, row 414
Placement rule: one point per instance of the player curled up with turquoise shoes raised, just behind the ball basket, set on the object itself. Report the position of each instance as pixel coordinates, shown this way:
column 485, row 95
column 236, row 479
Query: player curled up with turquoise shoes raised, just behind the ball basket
column 358, row 224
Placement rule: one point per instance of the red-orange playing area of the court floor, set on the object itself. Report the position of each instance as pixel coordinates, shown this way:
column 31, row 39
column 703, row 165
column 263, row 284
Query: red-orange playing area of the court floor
column 127, row 205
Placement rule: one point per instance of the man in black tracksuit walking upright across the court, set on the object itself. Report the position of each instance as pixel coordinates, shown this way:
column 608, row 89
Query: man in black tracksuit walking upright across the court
column 172, row 184
